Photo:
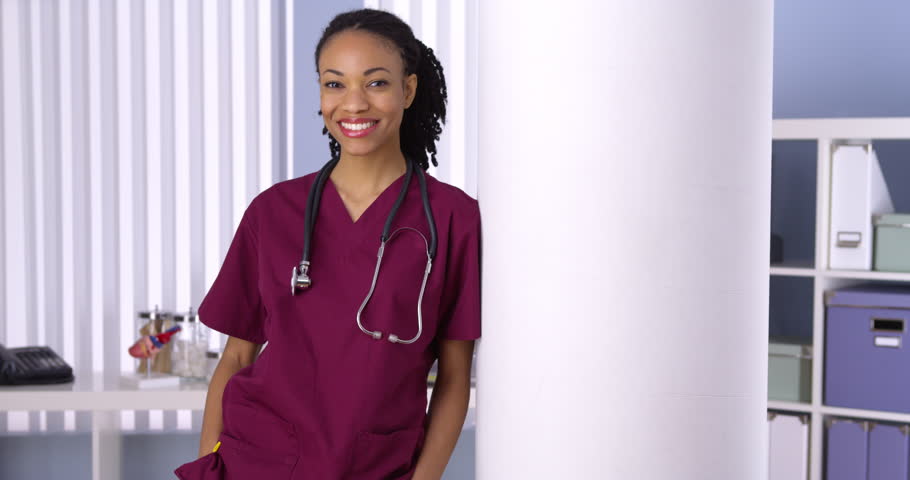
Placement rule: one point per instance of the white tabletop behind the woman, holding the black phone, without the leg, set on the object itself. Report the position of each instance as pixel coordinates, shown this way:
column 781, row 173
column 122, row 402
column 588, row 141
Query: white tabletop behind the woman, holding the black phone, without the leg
column 96, row 393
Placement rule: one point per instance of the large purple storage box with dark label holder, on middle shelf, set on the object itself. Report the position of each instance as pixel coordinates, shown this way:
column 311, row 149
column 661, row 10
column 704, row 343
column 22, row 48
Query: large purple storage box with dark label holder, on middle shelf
column 866, row 351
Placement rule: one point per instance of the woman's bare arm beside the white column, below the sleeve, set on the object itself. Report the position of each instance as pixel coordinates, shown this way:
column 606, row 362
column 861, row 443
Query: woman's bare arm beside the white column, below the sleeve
column 448, row 407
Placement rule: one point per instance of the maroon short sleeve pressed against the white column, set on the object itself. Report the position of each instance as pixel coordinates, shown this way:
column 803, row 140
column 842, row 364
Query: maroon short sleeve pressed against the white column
column 461, row 295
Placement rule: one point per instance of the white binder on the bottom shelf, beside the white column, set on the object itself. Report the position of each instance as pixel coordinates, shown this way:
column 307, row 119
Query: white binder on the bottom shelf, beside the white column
column 788, row 447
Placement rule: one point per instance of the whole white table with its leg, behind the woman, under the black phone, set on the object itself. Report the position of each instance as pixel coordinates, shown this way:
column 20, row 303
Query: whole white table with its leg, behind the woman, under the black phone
column 104, row 398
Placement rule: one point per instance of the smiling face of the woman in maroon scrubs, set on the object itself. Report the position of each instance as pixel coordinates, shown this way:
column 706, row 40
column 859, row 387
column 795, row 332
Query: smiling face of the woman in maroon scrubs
column 363, row 92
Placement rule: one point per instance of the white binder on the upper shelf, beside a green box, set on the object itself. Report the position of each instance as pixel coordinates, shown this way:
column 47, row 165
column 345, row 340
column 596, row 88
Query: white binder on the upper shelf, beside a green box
column 858, row 191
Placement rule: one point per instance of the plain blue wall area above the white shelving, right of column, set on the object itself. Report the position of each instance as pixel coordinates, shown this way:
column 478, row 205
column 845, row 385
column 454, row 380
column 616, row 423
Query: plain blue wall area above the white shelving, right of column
column 841, row 58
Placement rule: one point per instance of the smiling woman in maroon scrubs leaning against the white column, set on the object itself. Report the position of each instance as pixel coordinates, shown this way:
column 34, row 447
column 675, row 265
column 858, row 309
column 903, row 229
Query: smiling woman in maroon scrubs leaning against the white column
column 324, row 399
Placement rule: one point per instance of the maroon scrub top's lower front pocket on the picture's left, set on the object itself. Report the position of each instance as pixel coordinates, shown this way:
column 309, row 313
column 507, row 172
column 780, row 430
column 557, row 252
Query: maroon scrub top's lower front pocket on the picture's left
column 257, row 445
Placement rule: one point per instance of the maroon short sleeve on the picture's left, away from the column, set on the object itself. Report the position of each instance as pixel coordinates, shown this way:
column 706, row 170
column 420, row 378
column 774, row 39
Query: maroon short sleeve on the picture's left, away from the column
column 233, row 304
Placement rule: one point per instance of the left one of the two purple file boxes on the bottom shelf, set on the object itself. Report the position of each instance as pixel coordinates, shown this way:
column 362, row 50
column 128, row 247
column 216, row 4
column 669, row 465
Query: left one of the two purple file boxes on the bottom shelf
column 847, row 449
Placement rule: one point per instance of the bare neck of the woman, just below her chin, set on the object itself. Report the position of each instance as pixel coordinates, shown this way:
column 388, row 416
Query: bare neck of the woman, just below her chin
column 370, row 173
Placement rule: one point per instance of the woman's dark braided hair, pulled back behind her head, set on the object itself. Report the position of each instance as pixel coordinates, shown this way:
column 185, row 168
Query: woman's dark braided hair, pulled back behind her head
column 420, row 125
